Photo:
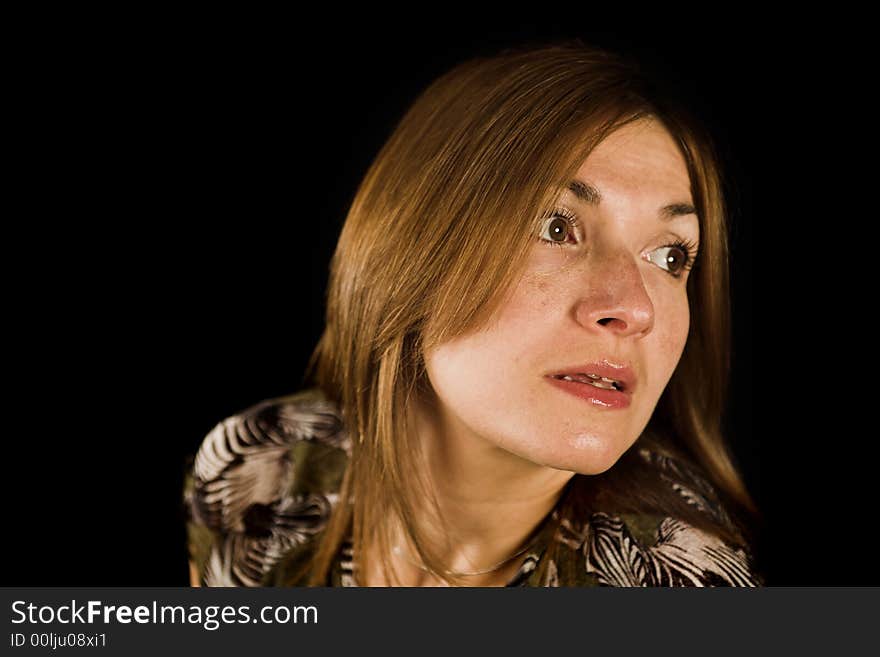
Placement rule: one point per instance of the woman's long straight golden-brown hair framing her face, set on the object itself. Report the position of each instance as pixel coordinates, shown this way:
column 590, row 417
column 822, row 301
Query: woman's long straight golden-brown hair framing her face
column 499, row 136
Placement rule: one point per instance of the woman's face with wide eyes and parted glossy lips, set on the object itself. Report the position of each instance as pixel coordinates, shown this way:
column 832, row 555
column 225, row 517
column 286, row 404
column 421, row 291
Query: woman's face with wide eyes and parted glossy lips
column 598, row 288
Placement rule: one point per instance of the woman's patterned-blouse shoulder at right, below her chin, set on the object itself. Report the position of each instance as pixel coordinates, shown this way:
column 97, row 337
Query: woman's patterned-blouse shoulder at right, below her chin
column 652, row 548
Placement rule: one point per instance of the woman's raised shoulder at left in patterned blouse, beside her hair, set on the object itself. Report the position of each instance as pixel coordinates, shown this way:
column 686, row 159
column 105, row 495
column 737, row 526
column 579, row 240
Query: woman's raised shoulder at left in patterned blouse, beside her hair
column 262, row 484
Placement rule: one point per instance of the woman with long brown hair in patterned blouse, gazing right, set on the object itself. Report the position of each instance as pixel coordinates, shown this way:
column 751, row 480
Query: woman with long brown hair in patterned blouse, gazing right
column 523, row 369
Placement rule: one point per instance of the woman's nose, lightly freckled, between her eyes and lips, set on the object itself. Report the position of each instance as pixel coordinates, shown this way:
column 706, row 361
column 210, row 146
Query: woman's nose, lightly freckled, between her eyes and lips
column 615, row 298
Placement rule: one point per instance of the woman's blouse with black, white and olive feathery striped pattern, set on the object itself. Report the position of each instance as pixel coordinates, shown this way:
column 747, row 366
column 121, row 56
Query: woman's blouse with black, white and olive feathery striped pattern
column 260, row 489
